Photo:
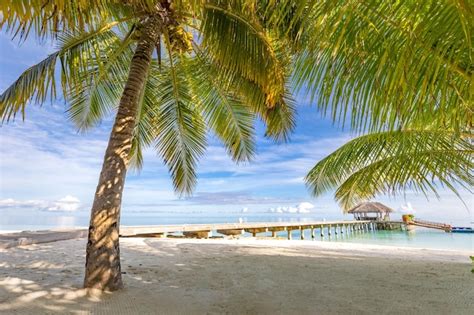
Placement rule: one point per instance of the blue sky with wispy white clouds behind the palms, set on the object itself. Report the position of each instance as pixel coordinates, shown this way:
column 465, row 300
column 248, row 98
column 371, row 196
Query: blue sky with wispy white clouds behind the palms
column 47, row 166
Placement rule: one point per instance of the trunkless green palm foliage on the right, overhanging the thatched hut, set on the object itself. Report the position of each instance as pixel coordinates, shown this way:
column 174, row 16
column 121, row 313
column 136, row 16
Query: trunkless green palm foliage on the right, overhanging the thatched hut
column 402, row 71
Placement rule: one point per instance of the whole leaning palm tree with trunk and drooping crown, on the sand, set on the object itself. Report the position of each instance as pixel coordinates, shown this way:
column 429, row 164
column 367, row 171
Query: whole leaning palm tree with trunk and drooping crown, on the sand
column 170, row 70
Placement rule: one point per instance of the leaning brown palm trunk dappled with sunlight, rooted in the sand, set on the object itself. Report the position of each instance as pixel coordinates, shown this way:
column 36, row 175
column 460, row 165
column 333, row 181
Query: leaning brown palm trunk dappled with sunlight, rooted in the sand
column 103, row 253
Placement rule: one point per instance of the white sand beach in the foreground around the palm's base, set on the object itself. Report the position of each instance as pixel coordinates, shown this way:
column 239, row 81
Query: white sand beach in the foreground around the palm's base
column 246, row 276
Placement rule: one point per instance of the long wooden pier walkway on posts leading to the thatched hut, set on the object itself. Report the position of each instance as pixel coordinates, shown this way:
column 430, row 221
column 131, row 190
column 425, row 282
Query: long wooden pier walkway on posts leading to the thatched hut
column 321, row 228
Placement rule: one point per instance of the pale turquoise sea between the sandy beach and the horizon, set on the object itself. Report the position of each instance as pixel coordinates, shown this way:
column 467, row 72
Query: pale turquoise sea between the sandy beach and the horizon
column 421, row 238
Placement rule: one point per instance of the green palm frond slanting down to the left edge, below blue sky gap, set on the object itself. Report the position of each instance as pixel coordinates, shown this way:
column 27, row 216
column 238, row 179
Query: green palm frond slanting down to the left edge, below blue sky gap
column 75, row 52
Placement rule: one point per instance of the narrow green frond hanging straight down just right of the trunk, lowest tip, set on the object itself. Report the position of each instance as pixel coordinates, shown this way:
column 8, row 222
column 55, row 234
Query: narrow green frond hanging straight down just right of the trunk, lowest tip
column 181, row 131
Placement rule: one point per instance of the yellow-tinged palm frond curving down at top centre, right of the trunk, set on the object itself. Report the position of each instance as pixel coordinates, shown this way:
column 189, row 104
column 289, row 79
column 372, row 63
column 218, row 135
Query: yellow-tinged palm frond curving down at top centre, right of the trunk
column 235, row 38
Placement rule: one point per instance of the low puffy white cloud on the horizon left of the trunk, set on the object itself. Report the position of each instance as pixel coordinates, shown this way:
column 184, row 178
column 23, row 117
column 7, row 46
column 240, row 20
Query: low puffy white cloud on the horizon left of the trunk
column 67, row 203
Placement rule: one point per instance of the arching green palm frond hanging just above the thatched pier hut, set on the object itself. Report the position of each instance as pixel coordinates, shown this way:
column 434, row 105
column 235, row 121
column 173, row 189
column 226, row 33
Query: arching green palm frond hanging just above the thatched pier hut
column 390, row 162
